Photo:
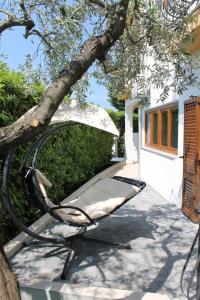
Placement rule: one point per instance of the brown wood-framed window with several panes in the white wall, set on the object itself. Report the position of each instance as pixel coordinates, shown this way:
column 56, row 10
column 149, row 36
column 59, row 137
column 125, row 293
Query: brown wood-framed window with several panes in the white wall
column 162, row 128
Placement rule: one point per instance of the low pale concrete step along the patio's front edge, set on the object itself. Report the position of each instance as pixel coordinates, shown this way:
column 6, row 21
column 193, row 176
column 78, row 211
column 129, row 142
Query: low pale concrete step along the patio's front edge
column 48, row 290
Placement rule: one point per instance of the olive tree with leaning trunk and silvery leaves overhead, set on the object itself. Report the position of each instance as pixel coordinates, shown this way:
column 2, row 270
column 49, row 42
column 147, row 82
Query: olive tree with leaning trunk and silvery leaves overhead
column 114, row 36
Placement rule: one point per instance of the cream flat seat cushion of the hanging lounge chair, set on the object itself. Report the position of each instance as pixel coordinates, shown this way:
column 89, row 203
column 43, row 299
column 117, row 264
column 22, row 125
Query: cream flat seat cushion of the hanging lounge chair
column 99, row 200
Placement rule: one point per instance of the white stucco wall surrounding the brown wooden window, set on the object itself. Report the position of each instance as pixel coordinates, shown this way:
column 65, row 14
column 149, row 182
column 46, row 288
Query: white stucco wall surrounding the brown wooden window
column 161, row 170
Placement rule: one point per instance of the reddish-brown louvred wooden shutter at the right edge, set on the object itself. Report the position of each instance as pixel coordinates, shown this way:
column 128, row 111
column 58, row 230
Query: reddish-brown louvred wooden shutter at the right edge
column 191, row 174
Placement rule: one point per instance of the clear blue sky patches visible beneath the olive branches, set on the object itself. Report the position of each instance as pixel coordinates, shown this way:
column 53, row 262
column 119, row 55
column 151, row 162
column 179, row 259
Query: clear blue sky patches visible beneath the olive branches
column 15, row 47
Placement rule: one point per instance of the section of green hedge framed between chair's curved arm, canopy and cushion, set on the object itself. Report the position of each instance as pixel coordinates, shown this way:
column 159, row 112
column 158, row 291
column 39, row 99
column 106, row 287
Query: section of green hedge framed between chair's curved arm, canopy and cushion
column 73, row 156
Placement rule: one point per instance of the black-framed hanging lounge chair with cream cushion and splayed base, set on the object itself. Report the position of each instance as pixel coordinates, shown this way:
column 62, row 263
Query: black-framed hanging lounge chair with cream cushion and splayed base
column 95, row 203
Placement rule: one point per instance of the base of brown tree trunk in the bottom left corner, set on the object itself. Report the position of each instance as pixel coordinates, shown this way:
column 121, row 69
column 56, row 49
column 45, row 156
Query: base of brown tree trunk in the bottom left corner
column 9, row 289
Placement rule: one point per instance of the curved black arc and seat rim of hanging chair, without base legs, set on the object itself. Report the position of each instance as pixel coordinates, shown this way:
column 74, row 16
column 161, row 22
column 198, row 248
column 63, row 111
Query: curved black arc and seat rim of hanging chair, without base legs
column 35, row 150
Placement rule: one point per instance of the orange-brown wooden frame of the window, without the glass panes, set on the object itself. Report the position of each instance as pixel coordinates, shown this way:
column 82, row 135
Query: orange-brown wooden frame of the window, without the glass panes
column 169, row 108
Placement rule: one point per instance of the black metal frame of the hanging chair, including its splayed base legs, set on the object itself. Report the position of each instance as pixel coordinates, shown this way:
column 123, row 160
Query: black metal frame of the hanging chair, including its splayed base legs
column 30, row 171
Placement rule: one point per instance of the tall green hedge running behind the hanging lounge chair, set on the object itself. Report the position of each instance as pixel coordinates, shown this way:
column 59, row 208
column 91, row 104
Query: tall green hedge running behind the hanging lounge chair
column 69, row 159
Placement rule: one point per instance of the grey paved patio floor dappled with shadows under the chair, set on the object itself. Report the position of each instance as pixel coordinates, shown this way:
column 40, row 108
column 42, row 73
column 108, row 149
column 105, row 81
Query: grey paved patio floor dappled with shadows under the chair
column 160, row 237
